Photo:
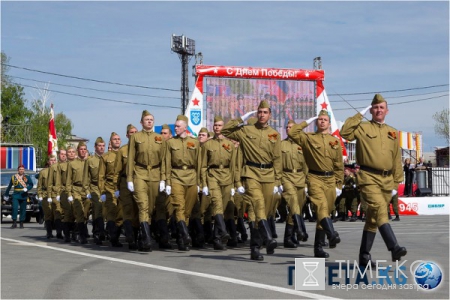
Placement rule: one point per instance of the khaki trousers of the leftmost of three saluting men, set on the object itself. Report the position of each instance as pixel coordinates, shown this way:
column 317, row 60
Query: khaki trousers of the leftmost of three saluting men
column 260, row 197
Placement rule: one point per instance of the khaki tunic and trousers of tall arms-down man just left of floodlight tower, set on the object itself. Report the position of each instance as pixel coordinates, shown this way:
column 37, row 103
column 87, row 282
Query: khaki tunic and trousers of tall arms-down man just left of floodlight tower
column 145, row 155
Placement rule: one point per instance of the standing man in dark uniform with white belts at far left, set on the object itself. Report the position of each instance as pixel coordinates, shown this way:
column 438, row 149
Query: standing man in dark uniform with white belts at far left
column 21, row 184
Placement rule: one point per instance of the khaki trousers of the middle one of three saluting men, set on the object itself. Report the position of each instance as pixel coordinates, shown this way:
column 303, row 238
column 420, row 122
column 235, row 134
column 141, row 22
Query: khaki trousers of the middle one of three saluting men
column 322, row 192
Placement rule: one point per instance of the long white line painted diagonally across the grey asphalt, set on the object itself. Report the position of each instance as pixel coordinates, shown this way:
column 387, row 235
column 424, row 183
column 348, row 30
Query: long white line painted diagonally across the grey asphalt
column 198, row 274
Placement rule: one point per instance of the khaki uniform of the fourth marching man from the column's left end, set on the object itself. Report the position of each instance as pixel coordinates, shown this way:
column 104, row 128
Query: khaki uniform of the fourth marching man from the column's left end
column 74, row 188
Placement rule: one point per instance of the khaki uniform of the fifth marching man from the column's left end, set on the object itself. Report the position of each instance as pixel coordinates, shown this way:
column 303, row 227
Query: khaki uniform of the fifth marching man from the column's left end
column 90, row 184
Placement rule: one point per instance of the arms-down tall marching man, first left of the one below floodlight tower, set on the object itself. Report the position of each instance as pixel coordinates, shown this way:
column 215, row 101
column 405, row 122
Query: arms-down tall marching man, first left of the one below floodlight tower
column 145, row 177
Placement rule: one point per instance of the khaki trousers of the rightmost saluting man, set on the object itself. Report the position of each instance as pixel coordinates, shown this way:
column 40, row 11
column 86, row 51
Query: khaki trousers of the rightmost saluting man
column 377, row 201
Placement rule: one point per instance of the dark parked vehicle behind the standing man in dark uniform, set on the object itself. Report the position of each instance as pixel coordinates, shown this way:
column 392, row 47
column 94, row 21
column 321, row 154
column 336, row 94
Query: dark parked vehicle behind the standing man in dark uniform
column 32, row 202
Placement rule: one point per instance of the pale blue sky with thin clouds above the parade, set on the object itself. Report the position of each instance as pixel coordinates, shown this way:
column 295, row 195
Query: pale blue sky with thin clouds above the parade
column 399, row 49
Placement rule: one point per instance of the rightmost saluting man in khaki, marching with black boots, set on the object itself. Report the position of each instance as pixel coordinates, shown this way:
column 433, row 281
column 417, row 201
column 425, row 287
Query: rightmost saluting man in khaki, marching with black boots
column 379, row 158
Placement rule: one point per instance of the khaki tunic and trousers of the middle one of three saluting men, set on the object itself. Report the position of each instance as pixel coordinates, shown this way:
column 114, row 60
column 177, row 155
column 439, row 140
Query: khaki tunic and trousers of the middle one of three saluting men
column 322, row 153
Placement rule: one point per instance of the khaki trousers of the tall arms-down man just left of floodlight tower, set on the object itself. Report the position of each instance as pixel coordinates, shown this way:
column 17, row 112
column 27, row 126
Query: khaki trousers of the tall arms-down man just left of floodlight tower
column 145, row 193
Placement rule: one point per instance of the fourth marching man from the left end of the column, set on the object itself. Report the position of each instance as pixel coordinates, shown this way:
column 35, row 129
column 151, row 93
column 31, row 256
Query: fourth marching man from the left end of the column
column 76, row 193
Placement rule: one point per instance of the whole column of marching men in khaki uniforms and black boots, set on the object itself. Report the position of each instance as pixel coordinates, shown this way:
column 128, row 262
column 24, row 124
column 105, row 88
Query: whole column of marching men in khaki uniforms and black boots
column 164, row 186
